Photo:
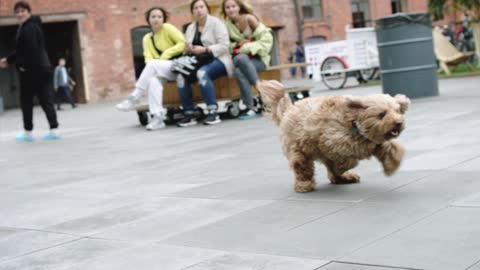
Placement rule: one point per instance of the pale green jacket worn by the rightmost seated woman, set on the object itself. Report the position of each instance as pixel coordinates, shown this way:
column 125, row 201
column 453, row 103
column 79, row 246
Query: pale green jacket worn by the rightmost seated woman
column 261, row 46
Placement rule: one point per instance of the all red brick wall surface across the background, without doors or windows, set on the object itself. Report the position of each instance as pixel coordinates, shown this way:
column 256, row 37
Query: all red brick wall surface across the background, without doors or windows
column 106, row 43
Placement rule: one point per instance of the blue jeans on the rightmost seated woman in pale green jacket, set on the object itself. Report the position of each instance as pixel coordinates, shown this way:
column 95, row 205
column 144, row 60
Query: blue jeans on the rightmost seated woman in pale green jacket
column 246, row 72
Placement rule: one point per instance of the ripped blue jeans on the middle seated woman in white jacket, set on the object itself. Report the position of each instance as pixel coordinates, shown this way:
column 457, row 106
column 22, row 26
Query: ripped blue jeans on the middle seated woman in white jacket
column 205, row 75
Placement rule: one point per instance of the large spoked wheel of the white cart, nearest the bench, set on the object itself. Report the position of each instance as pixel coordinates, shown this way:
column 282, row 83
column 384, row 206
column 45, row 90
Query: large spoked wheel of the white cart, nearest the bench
column 333, row 73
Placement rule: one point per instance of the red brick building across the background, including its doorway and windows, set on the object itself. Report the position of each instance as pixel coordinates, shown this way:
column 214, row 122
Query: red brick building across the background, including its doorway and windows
column 96, row 36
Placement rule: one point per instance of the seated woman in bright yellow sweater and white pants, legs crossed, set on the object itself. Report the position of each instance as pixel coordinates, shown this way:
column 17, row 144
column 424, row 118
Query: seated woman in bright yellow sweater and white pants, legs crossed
column 159, row 47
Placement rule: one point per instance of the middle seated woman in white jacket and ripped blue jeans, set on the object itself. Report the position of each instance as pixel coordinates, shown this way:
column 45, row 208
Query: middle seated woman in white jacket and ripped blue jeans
column 207, row 38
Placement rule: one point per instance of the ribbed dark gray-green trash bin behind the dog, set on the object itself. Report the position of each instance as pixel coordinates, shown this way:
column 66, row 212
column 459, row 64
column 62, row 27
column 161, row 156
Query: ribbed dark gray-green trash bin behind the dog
column 407, row 60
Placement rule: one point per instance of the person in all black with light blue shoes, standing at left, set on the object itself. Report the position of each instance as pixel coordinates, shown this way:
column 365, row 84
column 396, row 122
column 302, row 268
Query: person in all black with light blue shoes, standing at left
column 31, row 60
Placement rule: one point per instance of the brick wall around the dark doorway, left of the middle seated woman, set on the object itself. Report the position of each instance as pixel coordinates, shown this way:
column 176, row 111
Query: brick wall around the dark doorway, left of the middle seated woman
column 105, row 39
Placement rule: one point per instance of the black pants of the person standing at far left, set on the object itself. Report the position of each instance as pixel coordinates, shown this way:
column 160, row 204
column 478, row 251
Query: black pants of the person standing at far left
column 37, row 83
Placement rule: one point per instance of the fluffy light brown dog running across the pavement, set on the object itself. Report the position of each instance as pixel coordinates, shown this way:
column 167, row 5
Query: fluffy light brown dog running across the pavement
column 338, row 130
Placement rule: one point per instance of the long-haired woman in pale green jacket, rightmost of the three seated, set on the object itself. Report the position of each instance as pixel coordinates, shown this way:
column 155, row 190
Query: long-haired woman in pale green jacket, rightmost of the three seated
column 250, row 43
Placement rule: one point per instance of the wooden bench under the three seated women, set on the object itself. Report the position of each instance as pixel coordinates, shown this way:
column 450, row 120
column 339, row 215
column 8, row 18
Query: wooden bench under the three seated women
column 226, row 89
